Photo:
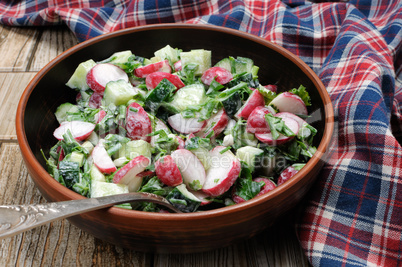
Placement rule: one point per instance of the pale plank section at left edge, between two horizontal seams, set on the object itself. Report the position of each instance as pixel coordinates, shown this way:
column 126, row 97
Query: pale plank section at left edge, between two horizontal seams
column 12, row 85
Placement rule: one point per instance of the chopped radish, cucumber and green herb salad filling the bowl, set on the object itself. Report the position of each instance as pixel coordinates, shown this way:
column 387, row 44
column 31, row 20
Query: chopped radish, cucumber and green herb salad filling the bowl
column 203, row 136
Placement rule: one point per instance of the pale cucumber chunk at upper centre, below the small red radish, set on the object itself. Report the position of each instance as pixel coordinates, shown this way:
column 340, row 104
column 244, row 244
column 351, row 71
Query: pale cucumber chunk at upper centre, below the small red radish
column 190, row 95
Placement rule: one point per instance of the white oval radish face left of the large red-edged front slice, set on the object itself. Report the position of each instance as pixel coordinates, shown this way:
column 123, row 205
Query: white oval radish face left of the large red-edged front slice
column 191, row 168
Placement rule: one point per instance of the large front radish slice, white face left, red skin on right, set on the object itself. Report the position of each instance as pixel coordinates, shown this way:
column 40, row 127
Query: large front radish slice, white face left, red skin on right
column 224, row 170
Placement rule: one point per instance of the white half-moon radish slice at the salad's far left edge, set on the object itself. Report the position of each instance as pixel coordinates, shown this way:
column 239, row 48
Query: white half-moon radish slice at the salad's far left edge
column 80, row 130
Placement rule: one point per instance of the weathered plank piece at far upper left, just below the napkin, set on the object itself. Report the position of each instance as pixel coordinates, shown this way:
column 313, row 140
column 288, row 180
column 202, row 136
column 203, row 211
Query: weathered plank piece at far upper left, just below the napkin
column 16, row 47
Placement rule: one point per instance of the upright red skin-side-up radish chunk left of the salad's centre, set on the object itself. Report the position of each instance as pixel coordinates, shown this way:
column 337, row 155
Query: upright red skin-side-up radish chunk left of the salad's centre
column 138, row 124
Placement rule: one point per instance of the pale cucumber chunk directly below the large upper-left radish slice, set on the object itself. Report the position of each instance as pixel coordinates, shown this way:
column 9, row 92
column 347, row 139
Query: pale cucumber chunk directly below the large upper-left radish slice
column 118, row 93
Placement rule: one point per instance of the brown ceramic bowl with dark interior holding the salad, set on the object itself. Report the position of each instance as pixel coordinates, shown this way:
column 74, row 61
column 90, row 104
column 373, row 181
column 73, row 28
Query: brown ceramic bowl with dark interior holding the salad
column 173, row 233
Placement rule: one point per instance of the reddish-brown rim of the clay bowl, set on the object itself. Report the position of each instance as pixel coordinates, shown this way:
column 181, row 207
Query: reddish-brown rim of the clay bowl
column 67, row 194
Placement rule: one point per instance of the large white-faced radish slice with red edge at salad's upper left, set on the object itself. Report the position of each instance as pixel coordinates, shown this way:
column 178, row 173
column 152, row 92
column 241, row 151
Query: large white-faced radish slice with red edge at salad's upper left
column 101, row 74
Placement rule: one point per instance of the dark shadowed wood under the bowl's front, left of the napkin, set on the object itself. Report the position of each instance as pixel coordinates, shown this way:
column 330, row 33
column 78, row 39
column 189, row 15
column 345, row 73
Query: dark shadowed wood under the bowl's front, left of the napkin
column 276, row 246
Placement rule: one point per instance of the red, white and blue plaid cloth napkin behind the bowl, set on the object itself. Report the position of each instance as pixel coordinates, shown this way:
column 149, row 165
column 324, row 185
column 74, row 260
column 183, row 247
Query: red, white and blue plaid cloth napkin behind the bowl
column 354, row 214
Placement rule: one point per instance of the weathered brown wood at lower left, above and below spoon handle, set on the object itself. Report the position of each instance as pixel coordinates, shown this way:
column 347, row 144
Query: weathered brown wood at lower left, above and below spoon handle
column 59, row 243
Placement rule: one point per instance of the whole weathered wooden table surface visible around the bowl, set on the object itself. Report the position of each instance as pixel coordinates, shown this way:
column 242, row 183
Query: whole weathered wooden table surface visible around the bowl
column 24, row 51
